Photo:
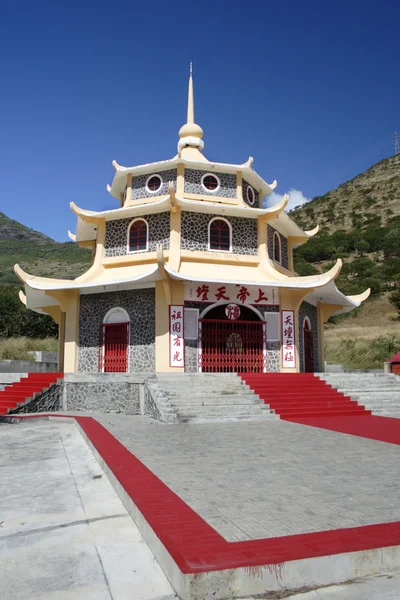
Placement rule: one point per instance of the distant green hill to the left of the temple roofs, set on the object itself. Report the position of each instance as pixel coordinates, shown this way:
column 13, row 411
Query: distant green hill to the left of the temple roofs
column 37, row 253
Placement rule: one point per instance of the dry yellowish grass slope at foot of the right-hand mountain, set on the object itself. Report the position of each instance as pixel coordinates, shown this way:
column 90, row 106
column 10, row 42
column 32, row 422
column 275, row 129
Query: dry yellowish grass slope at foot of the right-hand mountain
column 366, row 338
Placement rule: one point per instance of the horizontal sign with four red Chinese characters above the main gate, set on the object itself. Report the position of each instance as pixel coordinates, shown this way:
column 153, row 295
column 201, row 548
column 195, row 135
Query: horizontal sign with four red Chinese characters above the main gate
column 240, row 294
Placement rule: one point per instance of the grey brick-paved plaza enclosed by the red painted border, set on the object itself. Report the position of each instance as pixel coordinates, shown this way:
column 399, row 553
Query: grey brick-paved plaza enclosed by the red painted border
column 260, row 480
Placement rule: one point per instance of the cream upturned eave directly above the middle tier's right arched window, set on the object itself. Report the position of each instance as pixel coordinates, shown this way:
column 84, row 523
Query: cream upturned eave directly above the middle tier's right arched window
column 236, row 210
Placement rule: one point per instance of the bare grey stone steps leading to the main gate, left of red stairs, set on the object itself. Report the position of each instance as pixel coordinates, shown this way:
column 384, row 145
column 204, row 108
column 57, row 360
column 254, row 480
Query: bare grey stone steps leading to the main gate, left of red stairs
column 205, row 397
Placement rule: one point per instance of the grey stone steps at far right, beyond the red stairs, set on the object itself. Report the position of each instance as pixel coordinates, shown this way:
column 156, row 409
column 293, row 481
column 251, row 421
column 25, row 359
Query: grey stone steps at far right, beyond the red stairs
column 378, row 392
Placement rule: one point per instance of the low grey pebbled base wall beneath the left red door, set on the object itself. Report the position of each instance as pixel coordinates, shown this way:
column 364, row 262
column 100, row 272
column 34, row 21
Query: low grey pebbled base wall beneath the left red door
column 105, row 397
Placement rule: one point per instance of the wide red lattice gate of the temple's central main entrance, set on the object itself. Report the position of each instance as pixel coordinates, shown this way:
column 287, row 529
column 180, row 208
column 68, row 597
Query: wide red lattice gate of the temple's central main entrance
column 232, row 347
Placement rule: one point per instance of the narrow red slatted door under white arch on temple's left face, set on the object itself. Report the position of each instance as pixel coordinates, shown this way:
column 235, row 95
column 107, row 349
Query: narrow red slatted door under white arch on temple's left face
column 115, row 340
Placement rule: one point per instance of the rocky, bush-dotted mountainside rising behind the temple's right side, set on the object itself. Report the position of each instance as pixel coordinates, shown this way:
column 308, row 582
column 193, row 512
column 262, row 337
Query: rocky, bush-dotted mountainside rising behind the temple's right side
column 360, row 223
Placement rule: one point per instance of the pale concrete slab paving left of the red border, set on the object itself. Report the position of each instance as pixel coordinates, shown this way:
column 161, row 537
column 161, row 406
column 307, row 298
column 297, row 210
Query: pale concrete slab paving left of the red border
column 64, row 533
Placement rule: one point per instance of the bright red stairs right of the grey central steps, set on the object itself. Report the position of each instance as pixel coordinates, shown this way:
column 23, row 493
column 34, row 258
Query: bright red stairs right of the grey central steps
column 301, row 396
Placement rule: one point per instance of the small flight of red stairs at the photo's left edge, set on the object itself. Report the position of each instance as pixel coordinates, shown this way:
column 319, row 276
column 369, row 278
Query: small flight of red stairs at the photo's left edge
column 24, row 390
